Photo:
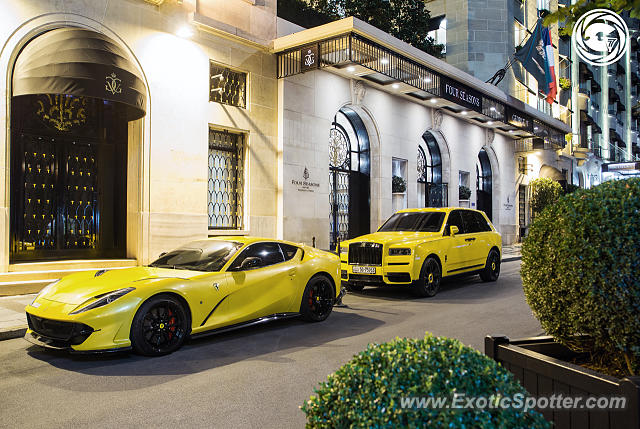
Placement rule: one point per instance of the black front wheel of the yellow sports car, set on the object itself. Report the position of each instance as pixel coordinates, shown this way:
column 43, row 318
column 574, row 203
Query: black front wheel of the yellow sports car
column 160, row 326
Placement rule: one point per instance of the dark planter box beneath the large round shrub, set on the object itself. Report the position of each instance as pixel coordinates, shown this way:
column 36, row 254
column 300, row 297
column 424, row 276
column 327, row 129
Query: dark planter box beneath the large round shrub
column 540, row 364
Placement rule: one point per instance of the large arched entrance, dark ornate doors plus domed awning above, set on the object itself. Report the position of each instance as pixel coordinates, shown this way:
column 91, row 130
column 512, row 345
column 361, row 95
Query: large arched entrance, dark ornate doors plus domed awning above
column 74, row 92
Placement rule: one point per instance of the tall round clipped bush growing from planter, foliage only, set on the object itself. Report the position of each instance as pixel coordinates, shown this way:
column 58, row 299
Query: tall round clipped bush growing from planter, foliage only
column 581, row 270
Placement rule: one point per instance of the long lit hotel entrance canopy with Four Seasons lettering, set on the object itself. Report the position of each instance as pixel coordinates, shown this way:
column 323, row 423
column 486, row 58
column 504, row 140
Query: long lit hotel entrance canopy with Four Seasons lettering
column 357, row 50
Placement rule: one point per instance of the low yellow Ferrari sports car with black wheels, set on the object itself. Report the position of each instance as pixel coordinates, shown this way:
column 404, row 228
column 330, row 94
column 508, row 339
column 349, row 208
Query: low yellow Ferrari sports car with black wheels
column 204, row 287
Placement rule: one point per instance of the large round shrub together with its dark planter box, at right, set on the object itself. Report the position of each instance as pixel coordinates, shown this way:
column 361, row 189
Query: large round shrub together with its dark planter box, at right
column 581, row 278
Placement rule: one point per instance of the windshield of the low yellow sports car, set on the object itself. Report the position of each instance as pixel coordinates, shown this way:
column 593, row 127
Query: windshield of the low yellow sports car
column 203, row 255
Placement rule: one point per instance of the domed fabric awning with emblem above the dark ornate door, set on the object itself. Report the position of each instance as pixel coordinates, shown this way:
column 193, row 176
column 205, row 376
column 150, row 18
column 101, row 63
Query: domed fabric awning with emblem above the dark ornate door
column 83, row 63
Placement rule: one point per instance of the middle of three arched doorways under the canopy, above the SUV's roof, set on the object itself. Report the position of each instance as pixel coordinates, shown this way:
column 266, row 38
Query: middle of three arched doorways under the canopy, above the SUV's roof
column 431, row 191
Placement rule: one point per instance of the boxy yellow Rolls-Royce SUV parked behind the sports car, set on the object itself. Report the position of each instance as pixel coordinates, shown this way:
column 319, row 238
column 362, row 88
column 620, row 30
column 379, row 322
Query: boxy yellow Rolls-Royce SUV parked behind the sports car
column 419, row 247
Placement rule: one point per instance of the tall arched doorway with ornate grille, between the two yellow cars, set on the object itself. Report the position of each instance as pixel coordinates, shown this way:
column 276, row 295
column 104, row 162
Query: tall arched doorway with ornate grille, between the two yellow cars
column 349, row 169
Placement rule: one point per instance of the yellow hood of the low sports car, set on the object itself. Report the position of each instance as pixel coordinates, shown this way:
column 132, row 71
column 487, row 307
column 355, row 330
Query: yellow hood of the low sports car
column 78, row 288
